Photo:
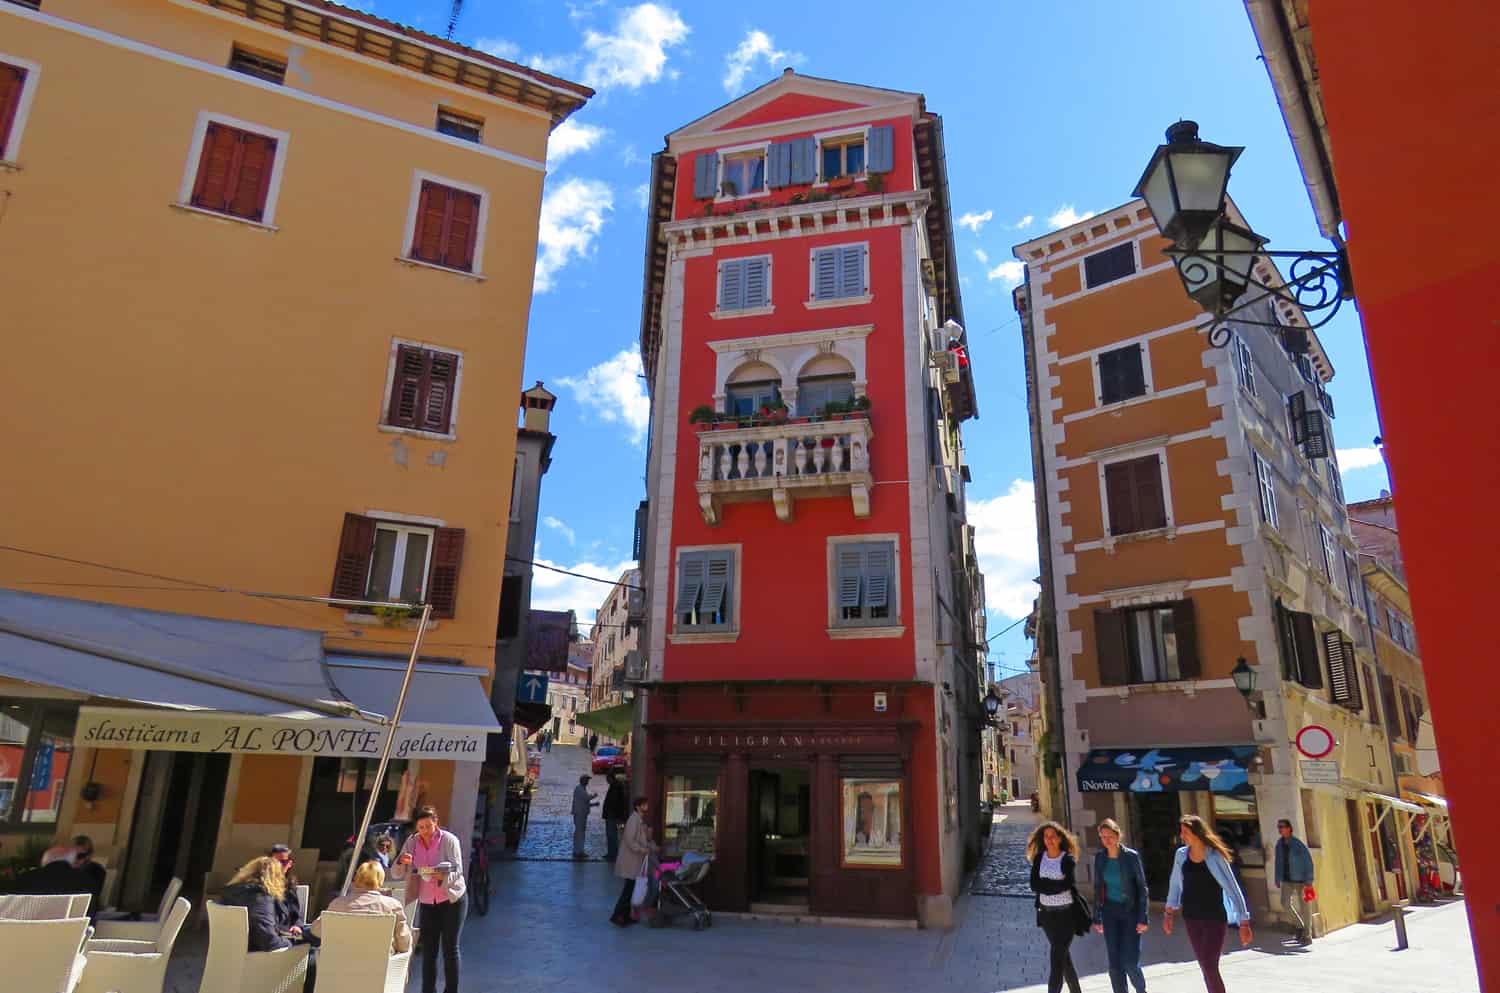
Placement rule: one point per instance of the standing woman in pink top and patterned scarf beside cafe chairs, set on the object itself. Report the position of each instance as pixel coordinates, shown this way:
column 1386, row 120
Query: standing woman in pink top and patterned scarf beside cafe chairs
column 439, row 889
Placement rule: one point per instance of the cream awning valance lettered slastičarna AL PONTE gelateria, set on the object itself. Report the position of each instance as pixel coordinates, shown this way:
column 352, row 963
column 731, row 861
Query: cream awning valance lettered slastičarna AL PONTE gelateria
column 245, row 734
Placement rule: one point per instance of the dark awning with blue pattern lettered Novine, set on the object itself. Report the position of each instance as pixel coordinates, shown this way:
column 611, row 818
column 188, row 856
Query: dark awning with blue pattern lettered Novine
column 1168, row 770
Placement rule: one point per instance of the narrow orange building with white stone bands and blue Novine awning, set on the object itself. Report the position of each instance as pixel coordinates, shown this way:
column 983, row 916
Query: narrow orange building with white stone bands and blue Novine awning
column 1193, row 524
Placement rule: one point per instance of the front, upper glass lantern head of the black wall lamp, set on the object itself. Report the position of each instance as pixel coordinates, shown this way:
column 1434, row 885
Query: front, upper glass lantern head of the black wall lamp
column 1186, row 184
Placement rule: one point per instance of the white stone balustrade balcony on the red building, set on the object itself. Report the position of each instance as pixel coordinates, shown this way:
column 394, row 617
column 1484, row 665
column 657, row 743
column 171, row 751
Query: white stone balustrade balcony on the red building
column 779, row 463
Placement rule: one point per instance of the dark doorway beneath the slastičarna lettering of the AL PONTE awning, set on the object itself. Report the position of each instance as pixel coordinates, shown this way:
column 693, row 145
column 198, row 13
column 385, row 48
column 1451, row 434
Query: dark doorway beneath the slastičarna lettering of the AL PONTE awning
column 176, row 826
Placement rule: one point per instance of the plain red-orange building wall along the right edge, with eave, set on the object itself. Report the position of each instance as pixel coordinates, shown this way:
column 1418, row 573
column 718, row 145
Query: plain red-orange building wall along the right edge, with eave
column 1391, row 110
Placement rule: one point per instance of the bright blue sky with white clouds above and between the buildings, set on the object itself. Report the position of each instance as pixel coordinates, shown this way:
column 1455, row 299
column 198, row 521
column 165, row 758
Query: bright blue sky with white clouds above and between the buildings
column 1051, row 112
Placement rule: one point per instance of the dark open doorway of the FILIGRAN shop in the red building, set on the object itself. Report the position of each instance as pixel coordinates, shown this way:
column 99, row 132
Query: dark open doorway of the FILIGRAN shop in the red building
column 781, row 848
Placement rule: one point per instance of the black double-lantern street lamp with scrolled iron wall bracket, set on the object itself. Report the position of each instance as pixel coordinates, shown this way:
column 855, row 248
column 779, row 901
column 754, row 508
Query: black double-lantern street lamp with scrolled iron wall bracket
column 1186, row 188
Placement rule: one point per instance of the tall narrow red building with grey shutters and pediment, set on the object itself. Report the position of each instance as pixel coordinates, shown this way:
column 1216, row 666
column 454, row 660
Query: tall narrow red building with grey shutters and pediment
column 815, row 626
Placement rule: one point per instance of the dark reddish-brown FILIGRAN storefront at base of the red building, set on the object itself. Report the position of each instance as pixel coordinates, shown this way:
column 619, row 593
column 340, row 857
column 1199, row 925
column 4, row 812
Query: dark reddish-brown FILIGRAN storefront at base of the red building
column 833, row 758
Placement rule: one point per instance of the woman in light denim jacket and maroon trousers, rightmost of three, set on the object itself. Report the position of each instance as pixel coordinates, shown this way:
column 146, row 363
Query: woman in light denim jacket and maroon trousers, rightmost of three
column 1205, row 892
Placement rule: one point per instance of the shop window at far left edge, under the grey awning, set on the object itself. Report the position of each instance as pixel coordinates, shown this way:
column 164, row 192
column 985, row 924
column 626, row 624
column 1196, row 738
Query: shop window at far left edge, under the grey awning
column 37, row 751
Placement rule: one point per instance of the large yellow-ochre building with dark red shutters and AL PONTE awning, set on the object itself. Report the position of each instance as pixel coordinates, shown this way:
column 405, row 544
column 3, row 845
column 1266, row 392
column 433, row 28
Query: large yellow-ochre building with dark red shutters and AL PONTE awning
column 268, row 281
